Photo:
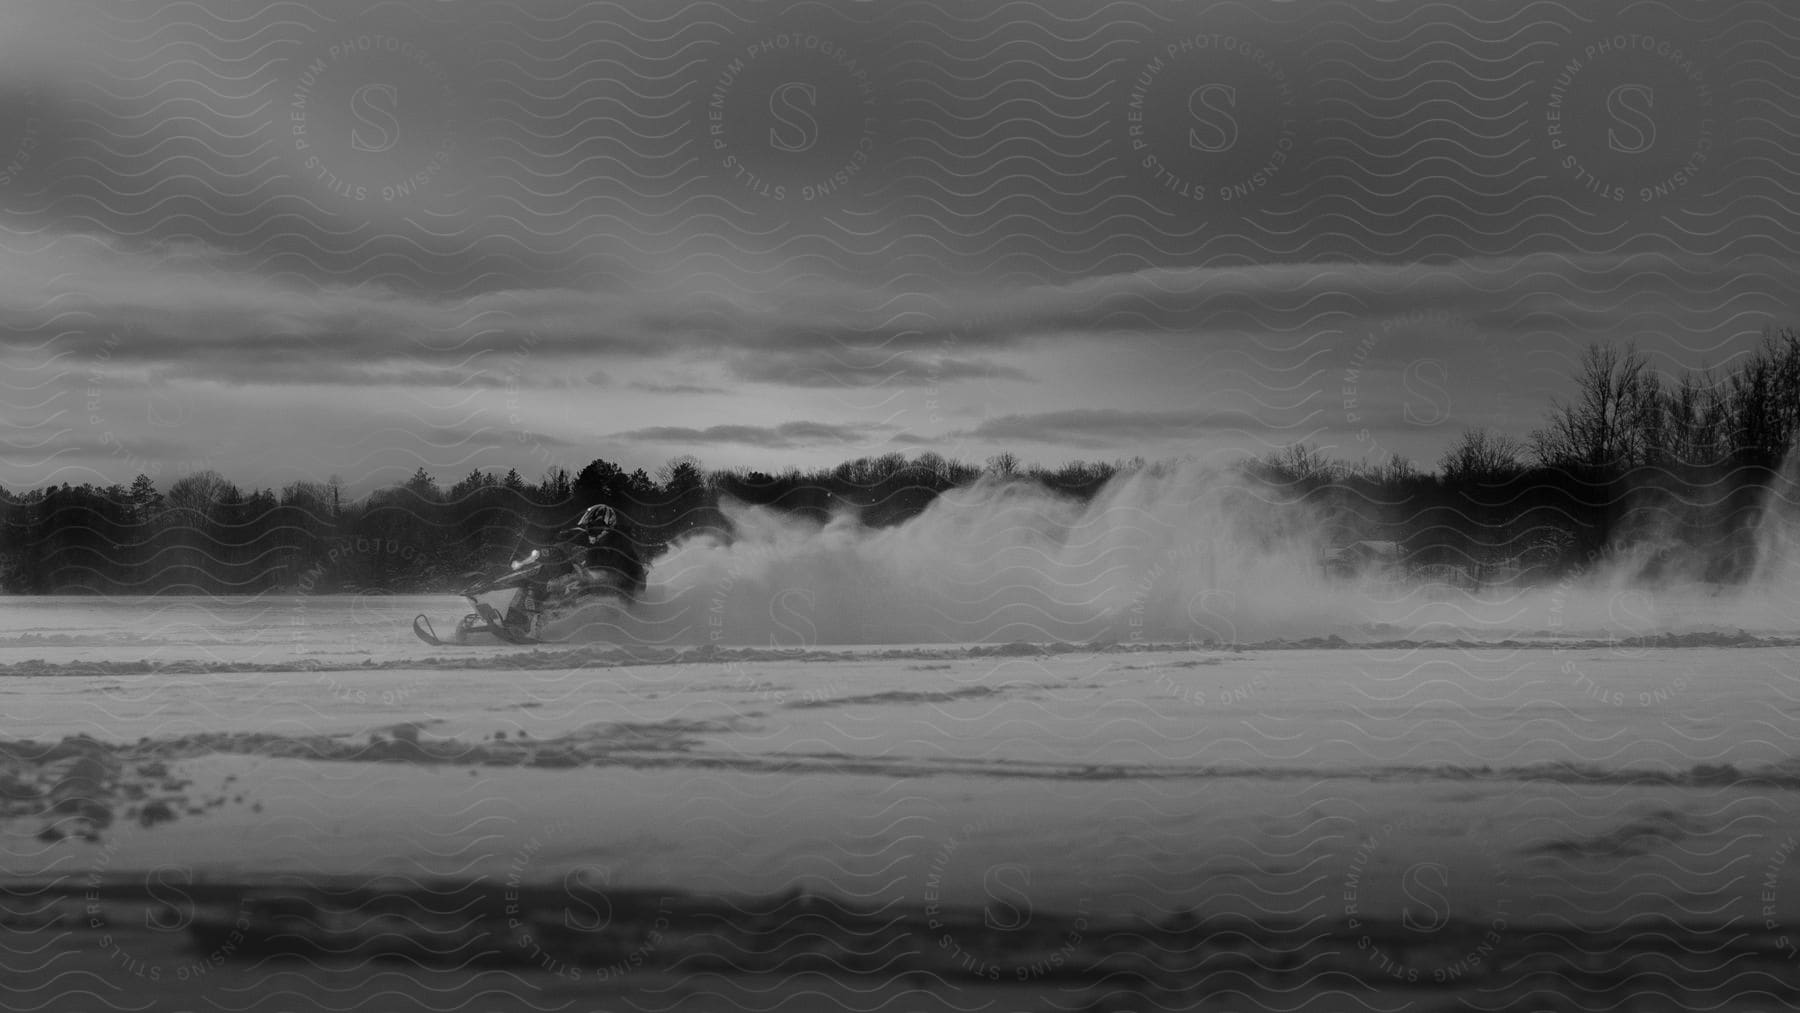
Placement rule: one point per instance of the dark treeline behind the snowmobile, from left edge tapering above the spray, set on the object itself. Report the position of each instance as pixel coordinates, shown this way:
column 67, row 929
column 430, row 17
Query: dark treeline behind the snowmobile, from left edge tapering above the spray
column 206, row 535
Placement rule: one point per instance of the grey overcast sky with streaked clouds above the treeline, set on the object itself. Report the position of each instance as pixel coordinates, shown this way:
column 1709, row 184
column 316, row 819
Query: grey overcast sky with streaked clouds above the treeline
column 291, row 240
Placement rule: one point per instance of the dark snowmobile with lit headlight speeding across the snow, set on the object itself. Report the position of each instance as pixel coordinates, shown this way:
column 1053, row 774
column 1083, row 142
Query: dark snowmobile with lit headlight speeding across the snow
column 546, row 586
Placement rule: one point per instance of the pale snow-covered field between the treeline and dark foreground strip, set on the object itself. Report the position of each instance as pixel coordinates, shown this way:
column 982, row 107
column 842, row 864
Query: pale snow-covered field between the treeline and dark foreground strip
column 1608, row 787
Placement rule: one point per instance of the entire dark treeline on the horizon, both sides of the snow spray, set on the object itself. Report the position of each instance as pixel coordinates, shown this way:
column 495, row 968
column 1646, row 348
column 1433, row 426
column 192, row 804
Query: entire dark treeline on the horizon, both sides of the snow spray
column 1671, row 471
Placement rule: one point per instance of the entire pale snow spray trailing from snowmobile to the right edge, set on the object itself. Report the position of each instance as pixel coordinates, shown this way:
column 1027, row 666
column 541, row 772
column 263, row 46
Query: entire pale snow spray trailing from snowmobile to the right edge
column 1164, row 553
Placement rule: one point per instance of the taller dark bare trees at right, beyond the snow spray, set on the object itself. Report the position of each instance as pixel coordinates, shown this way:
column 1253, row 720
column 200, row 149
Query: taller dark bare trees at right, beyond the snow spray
column 1671, row 476
